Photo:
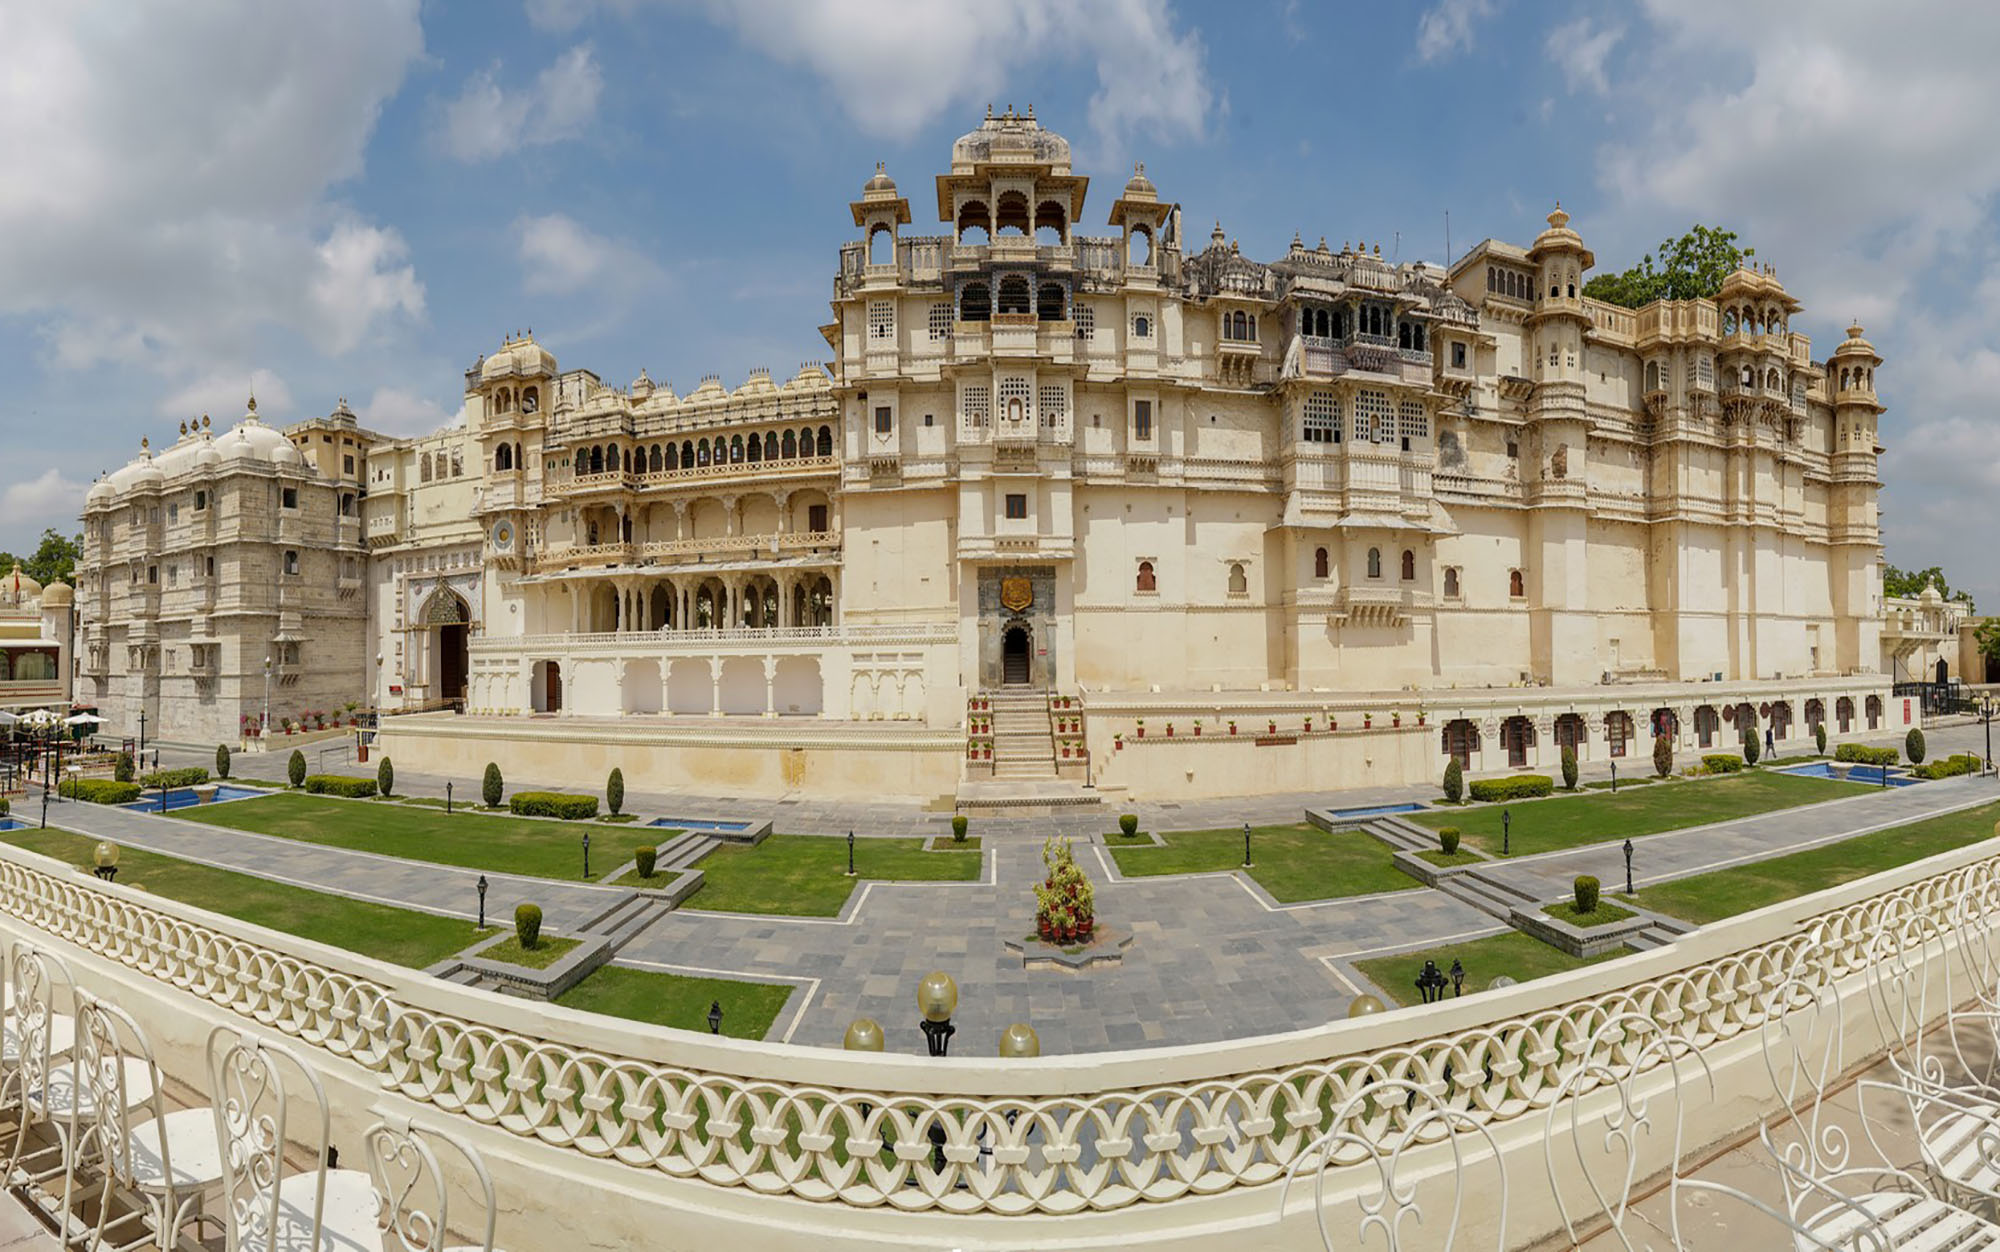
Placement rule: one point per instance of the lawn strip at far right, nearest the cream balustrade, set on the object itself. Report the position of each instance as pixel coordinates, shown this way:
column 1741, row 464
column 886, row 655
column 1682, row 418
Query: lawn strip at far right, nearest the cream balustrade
column 1741, row 889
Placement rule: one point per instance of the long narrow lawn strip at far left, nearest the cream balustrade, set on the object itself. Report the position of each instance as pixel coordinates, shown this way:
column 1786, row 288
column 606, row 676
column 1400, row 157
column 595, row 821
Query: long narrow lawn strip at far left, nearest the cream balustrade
column 397, row 935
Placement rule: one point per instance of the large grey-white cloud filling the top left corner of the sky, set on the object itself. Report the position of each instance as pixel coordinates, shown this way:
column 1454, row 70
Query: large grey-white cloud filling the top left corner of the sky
column 171, row 171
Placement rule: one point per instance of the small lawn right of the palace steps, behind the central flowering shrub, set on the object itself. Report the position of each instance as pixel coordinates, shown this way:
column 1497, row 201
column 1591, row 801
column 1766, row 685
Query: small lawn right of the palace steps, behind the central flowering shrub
column 1293, row 863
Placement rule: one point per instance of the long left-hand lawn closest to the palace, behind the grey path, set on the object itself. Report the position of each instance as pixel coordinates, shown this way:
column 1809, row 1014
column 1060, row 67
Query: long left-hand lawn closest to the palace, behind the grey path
column 509, row 845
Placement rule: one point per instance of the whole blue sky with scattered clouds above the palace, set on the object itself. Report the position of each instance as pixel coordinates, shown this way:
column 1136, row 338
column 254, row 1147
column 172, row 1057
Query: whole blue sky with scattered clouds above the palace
column 357, row 201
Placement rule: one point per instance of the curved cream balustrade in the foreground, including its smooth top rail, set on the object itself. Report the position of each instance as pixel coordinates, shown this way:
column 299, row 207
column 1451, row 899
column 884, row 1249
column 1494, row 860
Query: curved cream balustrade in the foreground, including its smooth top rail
column 1045, row 1137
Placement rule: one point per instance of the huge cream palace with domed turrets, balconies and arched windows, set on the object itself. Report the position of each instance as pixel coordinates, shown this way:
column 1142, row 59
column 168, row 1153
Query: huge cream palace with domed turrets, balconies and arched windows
column 1061, row 511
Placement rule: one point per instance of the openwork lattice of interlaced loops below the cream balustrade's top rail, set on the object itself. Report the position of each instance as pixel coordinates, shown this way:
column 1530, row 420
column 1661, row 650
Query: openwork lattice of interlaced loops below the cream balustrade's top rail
column 911, row 1151
